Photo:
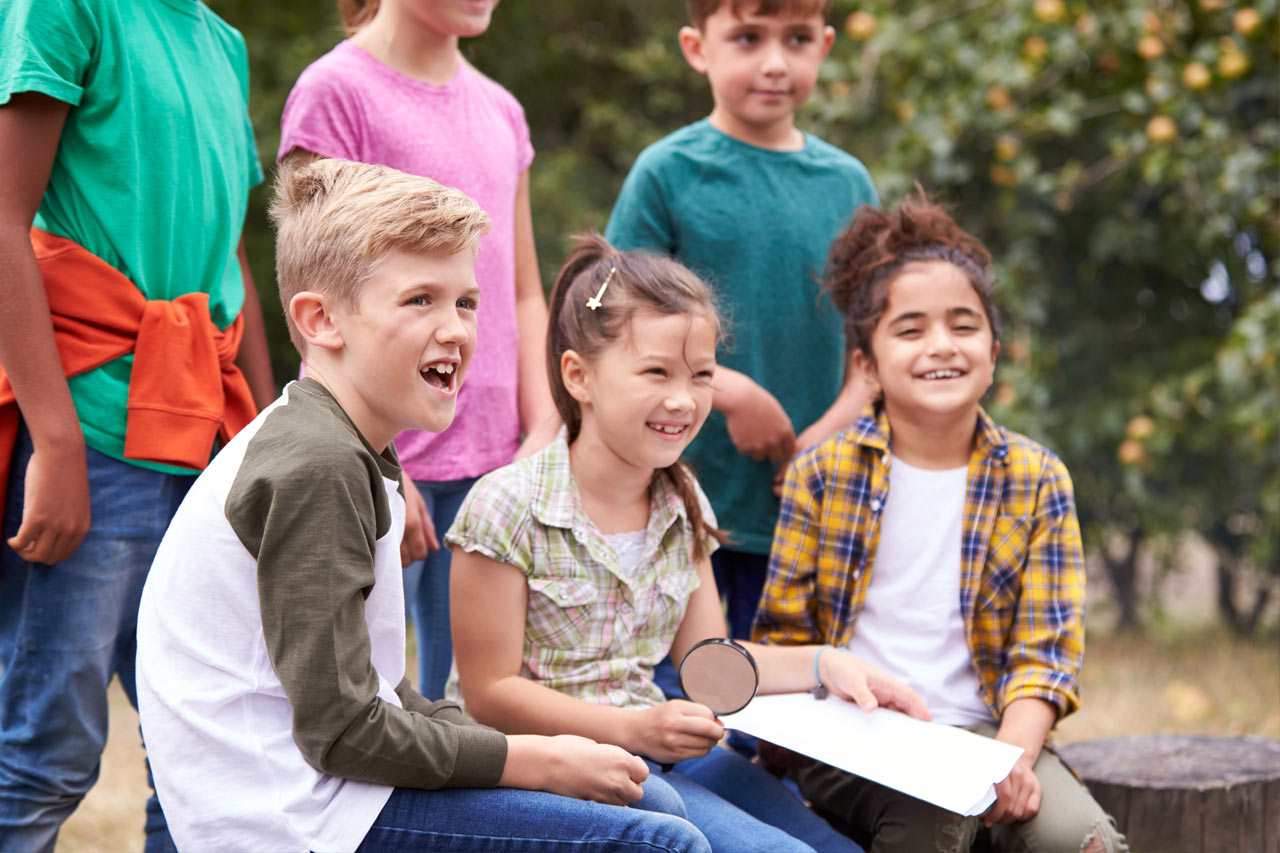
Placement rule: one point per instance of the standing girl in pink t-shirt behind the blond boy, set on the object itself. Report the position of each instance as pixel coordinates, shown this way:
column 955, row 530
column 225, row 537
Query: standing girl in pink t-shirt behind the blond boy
column 397, row 93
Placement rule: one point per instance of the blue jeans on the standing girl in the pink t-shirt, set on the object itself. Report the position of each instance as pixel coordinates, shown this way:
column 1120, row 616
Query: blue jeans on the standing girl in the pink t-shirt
column 427, row 589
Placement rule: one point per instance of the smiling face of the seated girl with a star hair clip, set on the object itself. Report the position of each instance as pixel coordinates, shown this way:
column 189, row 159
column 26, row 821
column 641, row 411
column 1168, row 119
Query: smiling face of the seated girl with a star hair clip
column 647, row 395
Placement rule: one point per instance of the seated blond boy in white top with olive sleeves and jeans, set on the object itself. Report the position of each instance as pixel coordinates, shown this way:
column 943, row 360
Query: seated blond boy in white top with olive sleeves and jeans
column 272, row 636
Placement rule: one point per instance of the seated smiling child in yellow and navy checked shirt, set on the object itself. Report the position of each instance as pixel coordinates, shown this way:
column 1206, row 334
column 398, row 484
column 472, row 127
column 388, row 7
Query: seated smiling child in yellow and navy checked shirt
column 938, row 545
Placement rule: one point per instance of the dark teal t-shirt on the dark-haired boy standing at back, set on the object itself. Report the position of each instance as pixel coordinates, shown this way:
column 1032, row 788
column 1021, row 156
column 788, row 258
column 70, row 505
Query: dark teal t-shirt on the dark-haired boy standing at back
column 757, row 225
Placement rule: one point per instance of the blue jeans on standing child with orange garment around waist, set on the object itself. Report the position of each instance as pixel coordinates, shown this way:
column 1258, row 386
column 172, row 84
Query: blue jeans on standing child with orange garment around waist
column 65, row 632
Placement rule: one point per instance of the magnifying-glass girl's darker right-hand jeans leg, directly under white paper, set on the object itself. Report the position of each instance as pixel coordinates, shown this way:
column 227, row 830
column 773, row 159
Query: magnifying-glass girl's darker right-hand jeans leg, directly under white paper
column 758, row 793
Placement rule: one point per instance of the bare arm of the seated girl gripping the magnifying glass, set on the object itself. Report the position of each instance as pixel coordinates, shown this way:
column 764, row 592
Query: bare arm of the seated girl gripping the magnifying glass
column 488, row 601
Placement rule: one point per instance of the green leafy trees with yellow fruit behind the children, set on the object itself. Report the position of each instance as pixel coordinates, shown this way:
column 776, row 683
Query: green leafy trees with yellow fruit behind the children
column 1132, row 206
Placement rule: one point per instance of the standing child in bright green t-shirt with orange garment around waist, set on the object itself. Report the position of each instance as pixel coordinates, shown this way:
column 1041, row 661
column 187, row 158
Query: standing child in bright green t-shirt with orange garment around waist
column 125, row 138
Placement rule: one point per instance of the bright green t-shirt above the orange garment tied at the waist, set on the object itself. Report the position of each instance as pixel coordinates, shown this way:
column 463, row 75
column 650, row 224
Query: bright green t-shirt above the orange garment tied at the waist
column 156, row 162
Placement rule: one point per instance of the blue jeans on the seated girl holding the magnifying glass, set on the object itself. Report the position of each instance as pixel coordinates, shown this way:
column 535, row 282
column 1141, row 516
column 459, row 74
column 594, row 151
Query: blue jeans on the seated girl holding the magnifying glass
column 740, row 806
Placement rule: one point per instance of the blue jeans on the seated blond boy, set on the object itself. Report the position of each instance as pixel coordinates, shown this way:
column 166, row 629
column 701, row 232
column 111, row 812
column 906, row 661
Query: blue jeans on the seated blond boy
column 504, row 819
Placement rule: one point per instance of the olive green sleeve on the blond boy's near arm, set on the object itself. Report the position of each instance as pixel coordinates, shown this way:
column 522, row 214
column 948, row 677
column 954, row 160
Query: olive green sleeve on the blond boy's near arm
column 313, row 521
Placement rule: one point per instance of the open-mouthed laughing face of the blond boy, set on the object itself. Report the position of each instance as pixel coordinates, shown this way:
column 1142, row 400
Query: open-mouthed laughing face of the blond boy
column 408, row 344
